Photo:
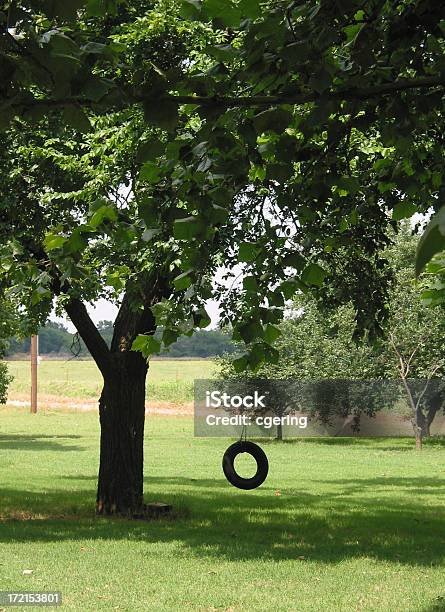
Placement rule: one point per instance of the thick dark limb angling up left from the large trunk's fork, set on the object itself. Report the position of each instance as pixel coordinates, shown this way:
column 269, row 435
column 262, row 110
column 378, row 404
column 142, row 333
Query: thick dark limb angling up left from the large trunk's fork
column 89, row 333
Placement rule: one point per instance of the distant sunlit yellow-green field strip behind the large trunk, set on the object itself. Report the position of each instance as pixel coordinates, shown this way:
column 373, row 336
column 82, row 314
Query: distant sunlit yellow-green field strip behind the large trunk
column 167, row 380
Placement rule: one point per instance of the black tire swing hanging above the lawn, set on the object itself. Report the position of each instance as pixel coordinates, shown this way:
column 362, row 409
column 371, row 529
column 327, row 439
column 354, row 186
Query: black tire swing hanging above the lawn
column 244, row 446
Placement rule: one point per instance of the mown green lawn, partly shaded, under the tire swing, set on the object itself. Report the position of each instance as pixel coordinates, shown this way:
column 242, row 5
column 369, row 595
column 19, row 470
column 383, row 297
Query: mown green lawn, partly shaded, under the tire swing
column 337, row 526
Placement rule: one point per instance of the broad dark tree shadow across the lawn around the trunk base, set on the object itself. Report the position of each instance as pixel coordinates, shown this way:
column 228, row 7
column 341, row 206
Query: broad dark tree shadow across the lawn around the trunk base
column 222, row 522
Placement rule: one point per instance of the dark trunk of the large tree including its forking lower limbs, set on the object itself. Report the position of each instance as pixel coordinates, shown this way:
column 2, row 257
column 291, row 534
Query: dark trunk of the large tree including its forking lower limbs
column 122, row 402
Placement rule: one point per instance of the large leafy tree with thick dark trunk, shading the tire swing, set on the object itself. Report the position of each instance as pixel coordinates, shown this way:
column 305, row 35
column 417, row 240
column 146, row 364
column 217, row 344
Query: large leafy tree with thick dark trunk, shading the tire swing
column 276, row 139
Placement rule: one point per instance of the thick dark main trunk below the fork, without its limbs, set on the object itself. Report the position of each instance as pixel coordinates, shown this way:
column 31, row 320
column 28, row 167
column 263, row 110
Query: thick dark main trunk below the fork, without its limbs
column 122, row 418
